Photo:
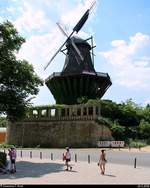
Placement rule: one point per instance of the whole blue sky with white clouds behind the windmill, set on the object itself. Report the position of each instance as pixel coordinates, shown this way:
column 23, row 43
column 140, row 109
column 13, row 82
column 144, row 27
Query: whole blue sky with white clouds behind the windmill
column 121, row 31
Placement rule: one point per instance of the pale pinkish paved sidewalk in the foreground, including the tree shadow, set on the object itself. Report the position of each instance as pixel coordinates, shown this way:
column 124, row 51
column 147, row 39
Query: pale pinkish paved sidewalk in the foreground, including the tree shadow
column 43, row 171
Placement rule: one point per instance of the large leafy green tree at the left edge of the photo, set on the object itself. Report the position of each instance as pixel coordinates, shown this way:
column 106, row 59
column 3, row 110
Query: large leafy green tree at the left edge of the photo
column 18, row 81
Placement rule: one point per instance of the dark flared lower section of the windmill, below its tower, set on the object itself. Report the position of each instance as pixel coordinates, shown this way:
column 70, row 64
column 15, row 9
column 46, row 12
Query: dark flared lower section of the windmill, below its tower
column 66, row 89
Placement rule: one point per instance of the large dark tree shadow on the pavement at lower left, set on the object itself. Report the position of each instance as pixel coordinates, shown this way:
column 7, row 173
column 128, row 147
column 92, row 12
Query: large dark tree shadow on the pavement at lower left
column 29, row 169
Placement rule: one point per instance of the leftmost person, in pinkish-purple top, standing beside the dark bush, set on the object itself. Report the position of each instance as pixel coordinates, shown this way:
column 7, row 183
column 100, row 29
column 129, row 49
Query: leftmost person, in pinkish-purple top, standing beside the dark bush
column 12, row 155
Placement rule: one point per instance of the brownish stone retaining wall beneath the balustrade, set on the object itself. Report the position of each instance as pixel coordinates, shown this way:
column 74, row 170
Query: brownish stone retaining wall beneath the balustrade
column 56, row 133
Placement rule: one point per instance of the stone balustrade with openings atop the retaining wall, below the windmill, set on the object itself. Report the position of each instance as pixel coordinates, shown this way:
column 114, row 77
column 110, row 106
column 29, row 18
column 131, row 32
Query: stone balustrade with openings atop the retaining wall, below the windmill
column 65, row 113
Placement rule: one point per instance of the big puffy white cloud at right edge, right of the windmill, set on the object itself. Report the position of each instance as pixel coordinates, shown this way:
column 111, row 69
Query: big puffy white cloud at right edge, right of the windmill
column 130, row 67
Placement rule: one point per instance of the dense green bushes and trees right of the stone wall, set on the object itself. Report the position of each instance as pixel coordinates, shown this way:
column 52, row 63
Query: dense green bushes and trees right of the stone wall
column 126, row 119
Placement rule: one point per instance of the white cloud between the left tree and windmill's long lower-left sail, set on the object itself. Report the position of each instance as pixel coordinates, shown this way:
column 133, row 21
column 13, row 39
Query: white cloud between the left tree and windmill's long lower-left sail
column 39, row 49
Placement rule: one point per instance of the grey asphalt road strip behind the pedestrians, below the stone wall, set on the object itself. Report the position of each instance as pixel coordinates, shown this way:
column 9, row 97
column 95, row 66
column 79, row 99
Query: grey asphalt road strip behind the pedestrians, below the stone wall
column 90, row 155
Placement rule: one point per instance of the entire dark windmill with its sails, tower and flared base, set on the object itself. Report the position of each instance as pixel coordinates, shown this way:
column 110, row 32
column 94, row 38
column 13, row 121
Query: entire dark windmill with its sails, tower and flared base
column 78, row 77
